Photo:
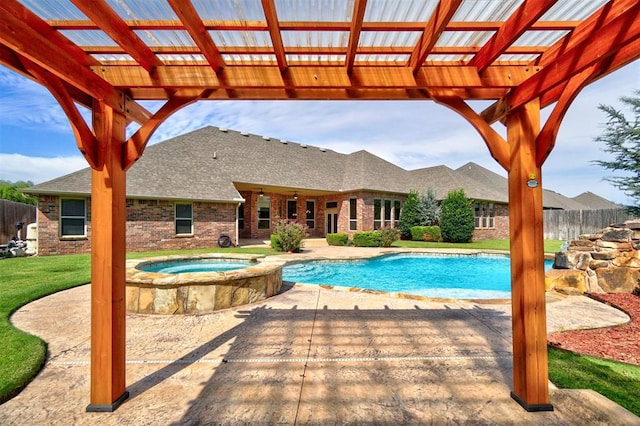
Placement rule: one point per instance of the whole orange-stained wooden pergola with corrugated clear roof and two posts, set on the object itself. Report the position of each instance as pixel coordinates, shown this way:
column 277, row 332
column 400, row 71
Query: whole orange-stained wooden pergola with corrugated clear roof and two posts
column 106, row 55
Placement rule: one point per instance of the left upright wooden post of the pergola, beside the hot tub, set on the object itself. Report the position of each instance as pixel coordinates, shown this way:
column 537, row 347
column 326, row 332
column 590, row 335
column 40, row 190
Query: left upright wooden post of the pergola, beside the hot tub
column 108, row 219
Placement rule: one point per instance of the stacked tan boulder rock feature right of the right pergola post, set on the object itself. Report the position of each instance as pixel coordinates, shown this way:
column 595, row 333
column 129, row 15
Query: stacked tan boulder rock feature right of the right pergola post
column 605, row 262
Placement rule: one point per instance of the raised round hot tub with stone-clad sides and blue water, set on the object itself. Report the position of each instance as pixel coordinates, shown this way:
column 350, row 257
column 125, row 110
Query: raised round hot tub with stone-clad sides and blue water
column 253, row 278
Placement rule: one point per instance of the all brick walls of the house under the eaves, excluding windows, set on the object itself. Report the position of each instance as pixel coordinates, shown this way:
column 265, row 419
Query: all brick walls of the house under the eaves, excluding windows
column 150, row 223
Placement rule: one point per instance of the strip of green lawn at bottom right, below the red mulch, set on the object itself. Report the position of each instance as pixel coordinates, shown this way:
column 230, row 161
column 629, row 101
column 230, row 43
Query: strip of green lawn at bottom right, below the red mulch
column 617, row 381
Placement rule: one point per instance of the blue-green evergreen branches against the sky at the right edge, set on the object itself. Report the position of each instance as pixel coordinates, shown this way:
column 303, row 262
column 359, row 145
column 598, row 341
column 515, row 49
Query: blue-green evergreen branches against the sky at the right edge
column 622, row 139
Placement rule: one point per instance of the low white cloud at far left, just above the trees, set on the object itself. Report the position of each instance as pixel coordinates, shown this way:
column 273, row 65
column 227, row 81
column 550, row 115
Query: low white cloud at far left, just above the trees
column 18, row 167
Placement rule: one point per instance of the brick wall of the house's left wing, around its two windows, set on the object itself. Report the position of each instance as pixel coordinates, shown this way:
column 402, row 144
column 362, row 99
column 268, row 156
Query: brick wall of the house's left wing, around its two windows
column 150, row 226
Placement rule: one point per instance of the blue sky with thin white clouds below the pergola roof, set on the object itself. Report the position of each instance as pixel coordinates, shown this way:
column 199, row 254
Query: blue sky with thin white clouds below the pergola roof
column 37, row 143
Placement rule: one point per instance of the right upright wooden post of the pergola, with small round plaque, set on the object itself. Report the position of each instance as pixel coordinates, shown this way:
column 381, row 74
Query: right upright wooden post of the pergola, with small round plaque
column 530, row 370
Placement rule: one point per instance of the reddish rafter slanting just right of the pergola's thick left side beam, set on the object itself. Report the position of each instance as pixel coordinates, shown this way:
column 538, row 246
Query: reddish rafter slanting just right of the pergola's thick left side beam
column 116, row 28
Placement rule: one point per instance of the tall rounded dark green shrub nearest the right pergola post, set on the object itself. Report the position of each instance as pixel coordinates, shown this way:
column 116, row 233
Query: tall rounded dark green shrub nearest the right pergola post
column 457, row 218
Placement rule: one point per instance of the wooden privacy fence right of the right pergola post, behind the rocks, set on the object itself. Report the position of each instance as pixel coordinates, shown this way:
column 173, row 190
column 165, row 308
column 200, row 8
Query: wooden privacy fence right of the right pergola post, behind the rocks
column 570, row 224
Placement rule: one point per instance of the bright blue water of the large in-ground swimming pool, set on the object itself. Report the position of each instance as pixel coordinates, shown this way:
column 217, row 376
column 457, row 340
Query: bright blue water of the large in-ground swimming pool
column 459, row 277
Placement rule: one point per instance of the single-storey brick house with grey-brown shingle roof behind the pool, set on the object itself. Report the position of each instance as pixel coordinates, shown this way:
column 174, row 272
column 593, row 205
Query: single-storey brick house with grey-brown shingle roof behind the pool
column 186, row 191
